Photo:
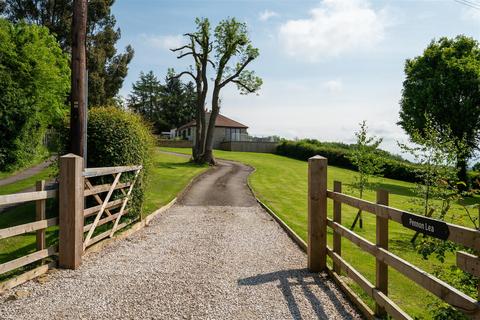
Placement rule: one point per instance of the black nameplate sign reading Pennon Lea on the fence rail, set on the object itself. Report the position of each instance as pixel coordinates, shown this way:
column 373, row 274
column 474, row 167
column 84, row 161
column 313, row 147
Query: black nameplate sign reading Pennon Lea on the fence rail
column 430, row 227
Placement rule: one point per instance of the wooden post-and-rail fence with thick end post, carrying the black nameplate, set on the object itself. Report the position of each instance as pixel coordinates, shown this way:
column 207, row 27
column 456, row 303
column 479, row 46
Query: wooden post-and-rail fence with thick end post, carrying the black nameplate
column 318, row 250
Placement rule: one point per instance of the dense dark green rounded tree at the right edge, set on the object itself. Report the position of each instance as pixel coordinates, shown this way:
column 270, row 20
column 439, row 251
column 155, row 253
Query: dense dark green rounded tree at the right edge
column 443, row 85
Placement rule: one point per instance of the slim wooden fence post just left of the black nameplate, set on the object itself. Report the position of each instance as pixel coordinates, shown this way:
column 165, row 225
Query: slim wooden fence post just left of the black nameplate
column 382, row 242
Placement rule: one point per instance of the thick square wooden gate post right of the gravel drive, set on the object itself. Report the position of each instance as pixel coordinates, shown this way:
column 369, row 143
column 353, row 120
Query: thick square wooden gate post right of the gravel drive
column 317, row 214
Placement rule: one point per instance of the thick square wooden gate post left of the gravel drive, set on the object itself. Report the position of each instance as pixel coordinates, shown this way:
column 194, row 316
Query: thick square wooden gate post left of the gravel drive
column 71, row 188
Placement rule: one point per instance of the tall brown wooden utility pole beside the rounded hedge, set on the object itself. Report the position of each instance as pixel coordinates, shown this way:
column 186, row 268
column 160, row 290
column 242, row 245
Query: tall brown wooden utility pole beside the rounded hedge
column 78, row 107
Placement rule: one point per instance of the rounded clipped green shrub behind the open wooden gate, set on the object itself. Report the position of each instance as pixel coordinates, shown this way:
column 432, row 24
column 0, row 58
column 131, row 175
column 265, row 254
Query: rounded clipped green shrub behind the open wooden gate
column 120, row 138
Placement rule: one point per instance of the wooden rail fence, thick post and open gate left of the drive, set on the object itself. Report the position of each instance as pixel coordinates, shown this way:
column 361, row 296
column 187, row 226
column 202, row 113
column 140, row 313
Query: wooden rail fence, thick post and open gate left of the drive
column 79, row 227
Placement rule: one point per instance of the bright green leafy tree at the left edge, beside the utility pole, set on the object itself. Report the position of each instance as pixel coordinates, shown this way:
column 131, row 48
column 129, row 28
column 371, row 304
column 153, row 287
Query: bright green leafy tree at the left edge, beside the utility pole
column 34, row 82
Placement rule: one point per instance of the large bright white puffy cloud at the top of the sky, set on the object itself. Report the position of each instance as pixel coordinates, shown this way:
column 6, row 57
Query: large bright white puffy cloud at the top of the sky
column 333, row 28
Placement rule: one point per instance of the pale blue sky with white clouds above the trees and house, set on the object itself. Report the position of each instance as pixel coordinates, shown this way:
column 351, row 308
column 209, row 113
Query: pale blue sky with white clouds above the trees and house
column 326, row 65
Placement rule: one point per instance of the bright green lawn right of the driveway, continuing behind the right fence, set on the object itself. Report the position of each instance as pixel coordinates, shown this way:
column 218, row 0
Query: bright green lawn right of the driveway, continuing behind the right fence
column 281, row 183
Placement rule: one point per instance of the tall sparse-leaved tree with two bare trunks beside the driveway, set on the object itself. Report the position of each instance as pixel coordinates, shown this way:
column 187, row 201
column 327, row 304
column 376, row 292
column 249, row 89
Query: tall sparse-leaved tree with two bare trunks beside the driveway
column 233, row 51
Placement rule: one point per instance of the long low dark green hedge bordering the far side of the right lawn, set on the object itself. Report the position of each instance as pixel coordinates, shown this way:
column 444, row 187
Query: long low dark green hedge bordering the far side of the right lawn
column 337, row 155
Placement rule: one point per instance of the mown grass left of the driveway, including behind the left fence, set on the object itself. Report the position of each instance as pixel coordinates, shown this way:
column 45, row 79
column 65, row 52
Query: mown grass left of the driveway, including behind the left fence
column 168, row 177
